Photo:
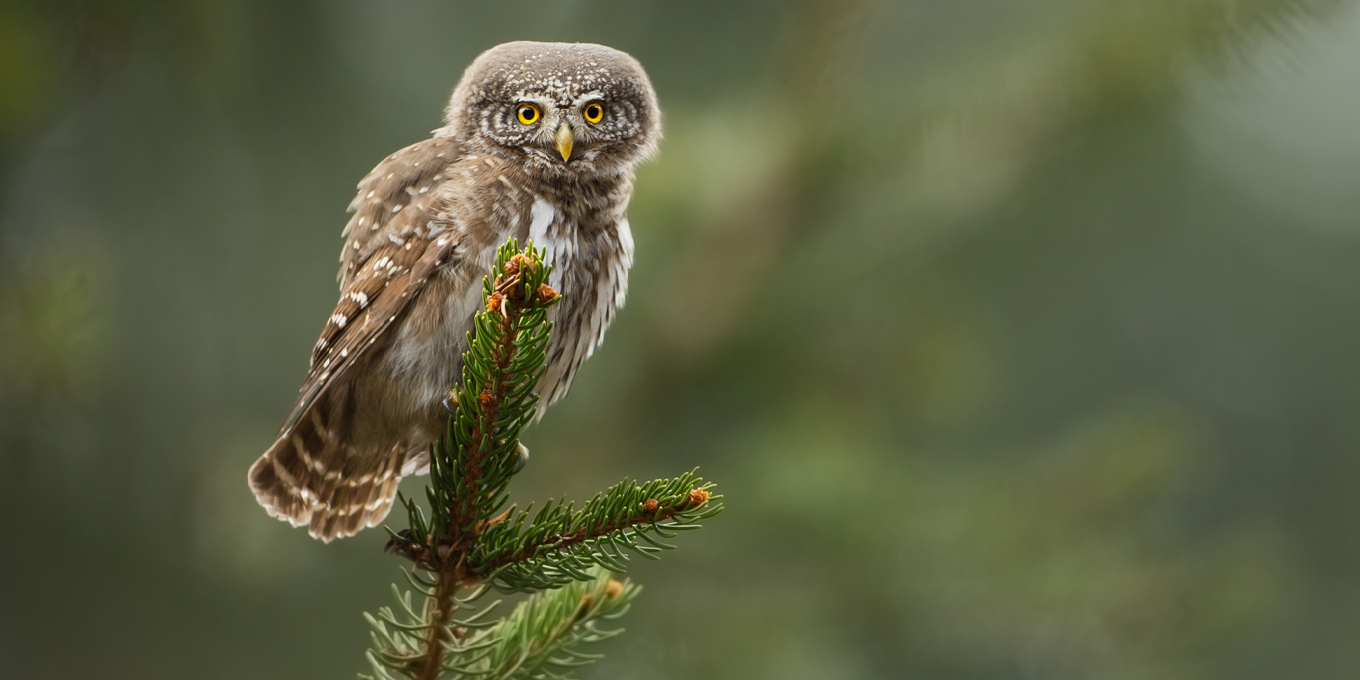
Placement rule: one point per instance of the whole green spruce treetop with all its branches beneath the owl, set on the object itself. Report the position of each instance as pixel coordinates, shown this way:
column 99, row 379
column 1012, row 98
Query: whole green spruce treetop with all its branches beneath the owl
column 466, row 541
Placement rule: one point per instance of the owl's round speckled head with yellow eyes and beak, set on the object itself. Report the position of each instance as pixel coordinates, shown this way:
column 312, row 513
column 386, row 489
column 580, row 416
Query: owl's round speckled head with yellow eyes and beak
column 560, row 108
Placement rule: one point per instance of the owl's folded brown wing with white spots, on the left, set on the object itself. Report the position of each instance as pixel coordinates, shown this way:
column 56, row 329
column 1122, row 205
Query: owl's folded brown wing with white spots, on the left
column 390, row 255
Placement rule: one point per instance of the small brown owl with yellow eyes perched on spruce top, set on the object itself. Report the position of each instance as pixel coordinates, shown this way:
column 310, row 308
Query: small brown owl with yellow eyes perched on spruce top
column 541, row 141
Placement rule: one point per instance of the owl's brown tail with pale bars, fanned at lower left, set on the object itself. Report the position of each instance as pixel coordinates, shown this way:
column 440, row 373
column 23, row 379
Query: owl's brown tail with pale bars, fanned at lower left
column 312, row 478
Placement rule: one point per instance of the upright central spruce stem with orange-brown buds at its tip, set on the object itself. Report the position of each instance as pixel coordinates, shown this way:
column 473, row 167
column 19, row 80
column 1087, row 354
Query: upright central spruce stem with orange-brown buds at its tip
column 471, row 466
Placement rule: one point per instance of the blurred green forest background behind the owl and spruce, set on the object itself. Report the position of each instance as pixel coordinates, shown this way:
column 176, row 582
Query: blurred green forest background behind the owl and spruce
column 1021, row 337
